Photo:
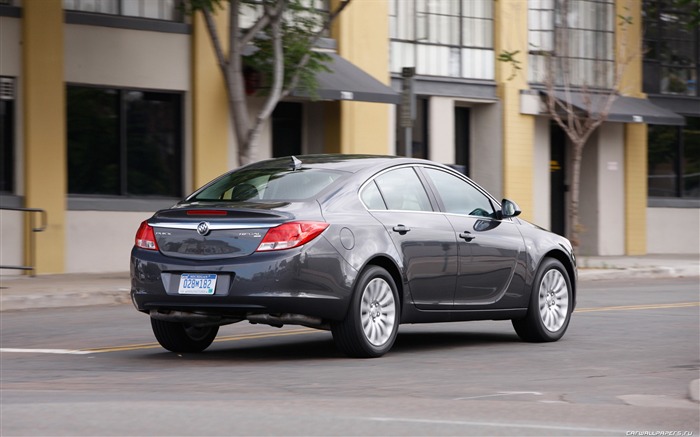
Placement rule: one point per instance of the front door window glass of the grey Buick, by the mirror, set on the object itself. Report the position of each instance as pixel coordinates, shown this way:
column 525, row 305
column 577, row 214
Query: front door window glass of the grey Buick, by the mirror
column 458, row 196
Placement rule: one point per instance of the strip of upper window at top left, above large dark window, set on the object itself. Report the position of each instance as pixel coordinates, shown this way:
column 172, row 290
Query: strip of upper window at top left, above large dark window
column 170, row 10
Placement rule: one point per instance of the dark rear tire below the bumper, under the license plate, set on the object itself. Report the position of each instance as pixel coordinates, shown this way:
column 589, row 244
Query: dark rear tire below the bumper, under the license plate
column 180, row 337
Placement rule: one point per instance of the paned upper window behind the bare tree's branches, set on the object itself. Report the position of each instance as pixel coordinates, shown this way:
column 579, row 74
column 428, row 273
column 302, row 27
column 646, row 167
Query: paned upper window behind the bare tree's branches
column 578, row 36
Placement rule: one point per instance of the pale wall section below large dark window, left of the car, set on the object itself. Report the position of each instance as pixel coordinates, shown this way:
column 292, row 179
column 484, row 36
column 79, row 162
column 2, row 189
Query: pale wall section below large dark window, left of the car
column 100, row 241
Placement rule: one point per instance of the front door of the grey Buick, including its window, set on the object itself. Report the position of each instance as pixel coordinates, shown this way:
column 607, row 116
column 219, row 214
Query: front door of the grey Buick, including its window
column 489, row 249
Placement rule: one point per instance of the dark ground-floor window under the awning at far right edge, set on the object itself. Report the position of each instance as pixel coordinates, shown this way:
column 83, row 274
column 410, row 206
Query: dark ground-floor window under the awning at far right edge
column 674, row 160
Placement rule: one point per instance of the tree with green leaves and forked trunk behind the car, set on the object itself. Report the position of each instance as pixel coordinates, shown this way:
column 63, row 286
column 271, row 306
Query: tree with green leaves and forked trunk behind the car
column 277, row 48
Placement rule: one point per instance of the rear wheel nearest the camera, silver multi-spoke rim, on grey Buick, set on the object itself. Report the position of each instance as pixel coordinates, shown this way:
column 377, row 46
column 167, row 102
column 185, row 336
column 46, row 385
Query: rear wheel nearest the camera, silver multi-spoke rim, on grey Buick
column 370, row 327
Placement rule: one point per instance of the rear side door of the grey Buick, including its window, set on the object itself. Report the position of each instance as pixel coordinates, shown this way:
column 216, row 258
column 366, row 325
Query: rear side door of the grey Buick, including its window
column 424, row 238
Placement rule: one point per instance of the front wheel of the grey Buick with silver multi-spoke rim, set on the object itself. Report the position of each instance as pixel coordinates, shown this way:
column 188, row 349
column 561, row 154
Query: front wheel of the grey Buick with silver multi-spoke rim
column 551, row 303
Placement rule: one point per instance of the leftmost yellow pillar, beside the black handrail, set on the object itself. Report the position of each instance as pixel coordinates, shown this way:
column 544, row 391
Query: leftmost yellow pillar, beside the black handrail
column 44, row 130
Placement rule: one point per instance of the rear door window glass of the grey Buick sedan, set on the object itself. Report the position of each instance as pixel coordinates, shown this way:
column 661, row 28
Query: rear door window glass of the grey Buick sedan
column 402, row 190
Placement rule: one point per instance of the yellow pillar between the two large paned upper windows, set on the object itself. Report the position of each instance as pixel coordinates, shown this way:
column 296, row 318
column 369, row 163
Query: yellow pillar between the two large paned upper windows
column 518, row 129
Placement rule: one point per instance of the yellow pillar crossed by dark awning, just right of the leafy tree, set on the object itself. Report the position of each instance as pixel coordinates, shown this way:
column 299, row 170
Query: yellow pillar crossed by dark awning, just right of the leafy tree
column 362, row 34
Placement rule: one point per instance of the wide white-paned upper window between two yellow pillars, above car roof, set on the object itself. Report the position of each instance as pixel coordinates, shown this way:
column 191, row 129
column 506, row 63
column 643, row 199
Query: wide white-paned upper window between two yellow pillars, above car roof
column 452, row 38
